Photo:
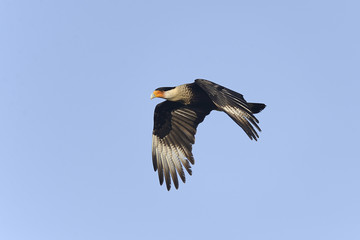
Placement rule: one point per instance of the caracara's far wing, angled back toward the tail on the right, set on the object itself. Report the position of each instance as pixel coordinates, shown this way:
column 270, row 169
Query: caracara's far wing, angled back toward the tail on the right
column 233, row 104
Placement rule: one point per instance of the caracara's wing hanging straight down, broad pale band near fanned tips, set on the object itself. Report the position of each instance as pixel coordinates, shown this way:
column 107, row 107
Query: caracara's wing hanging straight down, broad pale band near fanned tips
column 173, row 135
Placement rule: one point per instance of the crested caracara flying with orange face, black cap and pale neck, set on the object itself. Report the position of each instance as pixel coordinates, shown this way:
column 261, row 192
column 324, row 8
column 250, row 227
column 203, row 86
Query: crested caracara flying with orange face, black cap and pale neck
column 176, row 120
